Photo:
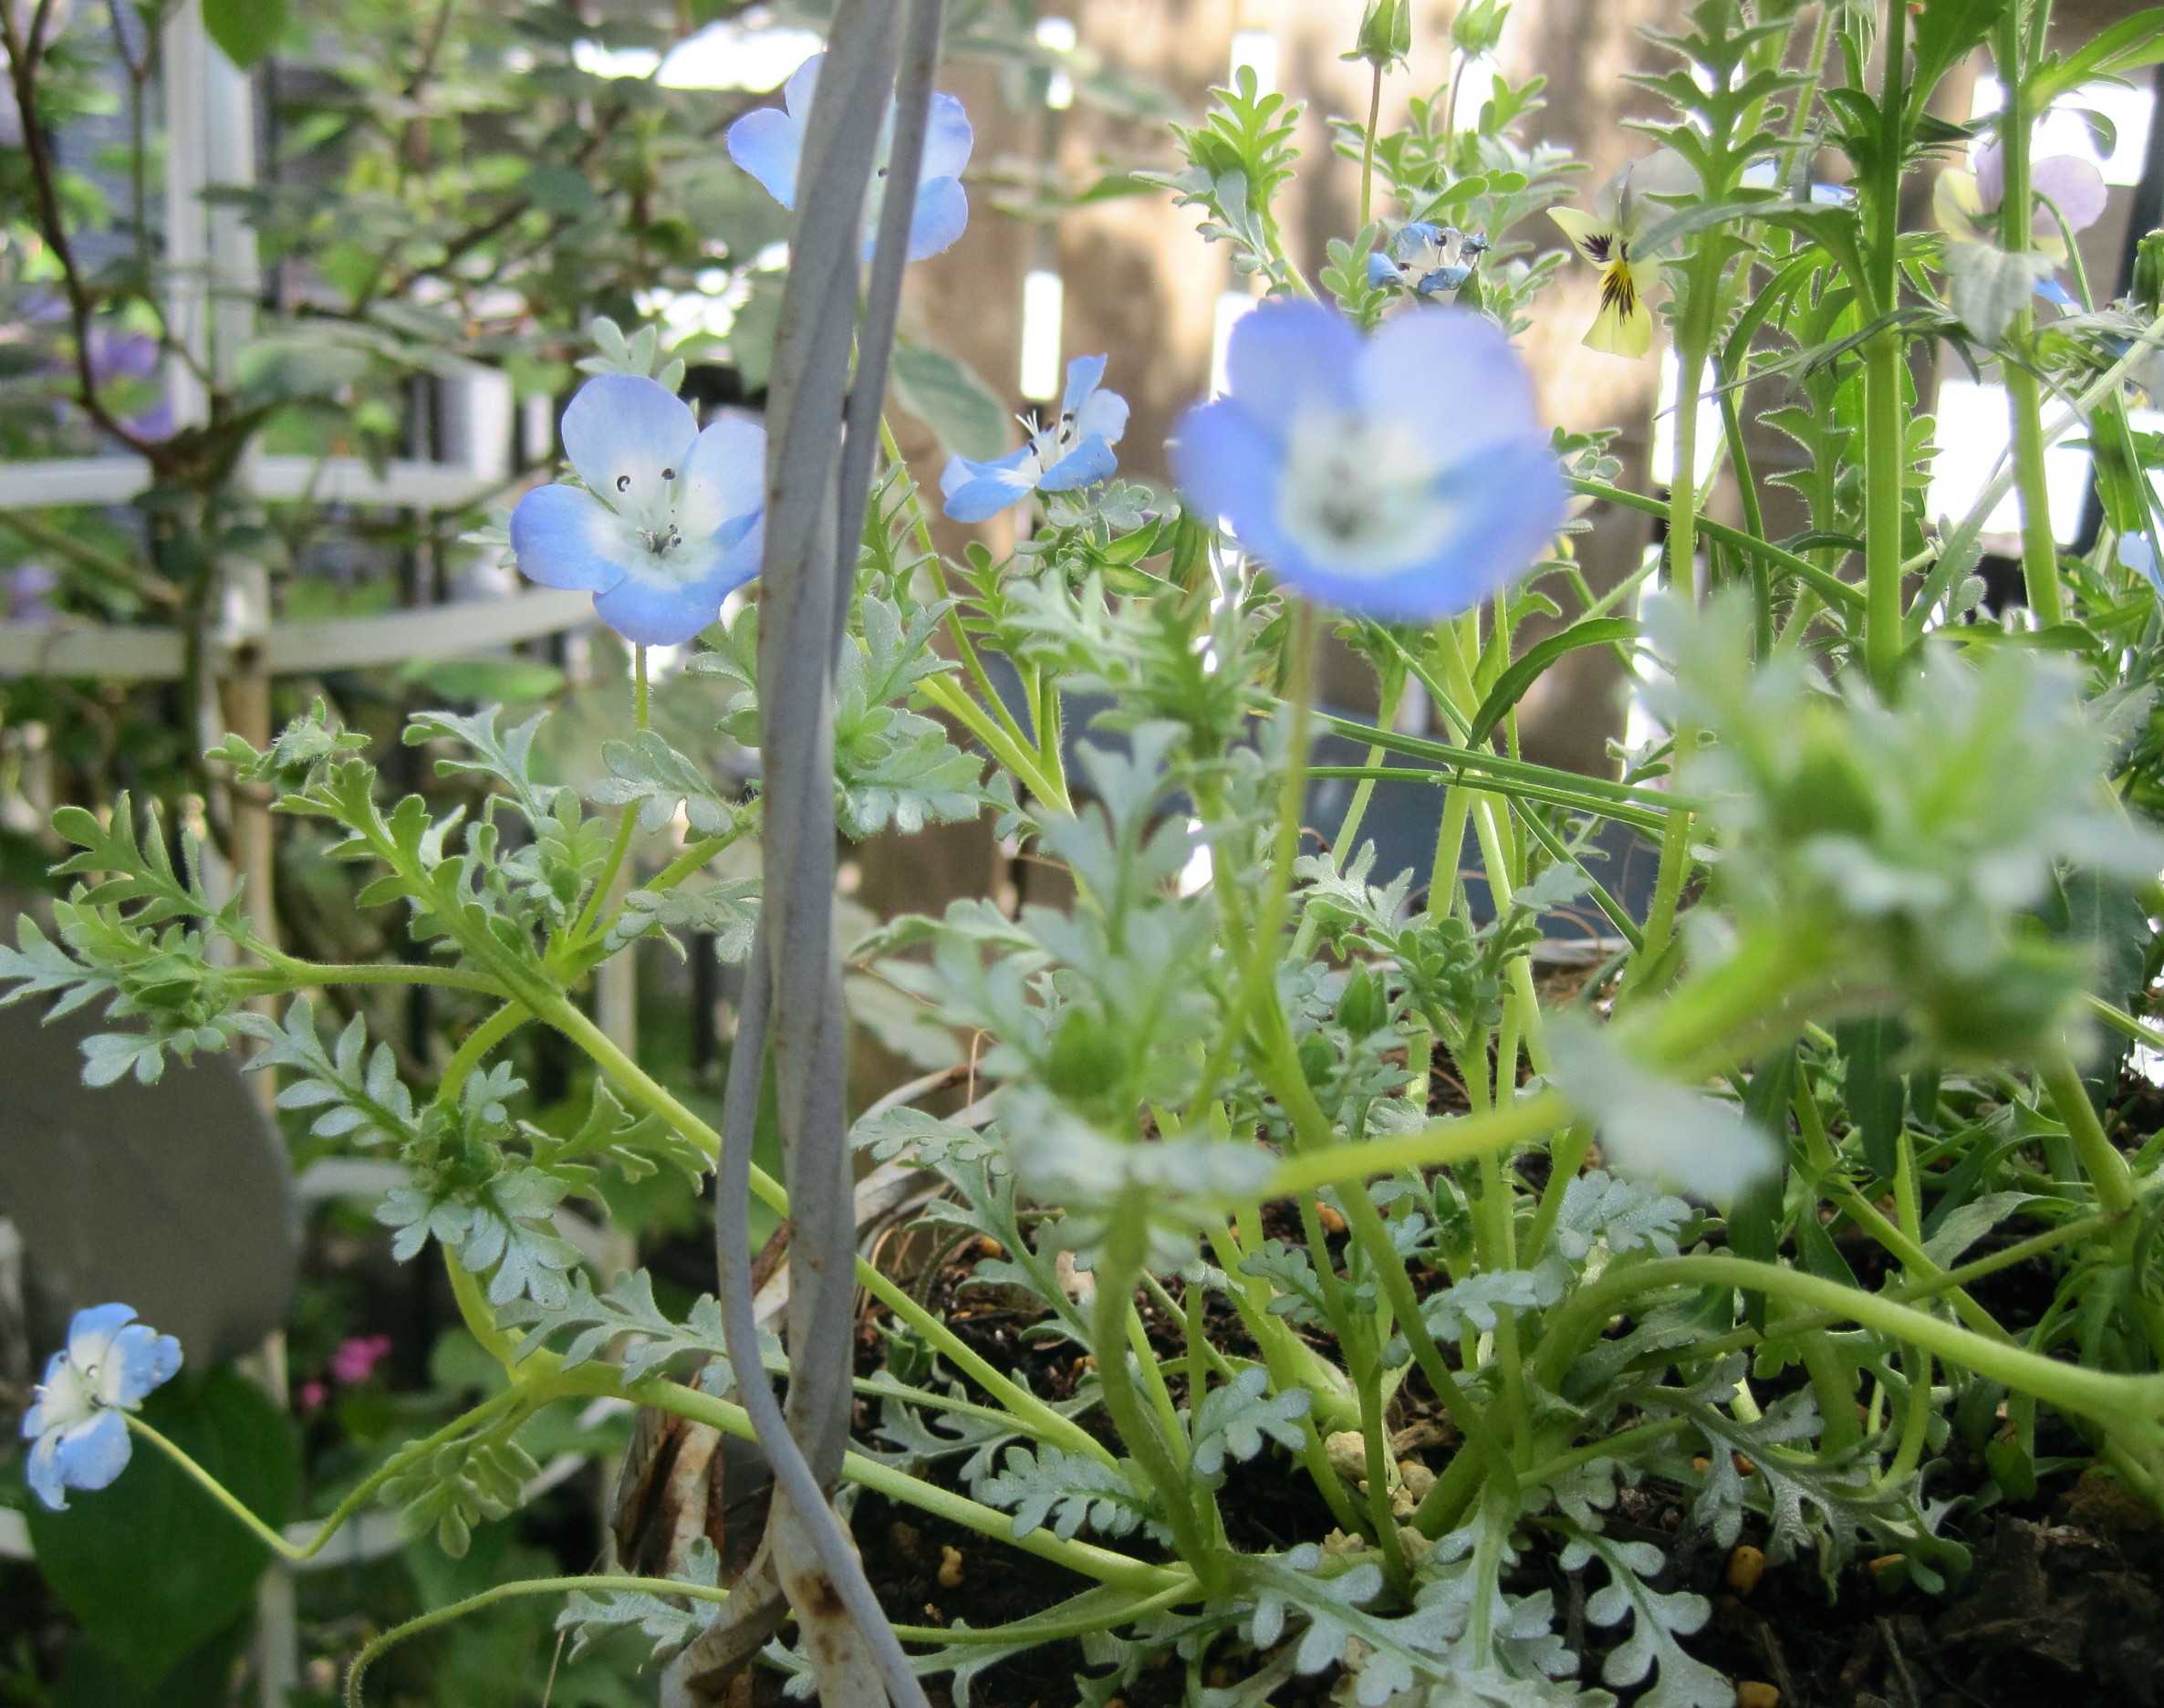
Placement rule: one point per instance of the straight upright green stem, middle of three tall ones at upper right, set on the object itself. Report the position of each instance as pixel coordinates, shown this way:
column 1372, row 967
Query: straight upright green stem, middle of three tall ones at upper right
column 1886, row 438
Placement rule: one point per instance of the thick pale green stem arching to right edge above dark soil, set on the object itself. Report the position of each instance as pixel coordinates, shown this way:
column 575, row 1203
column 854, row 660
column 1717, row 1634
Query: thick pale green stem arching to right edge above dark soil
column 2117, row 1402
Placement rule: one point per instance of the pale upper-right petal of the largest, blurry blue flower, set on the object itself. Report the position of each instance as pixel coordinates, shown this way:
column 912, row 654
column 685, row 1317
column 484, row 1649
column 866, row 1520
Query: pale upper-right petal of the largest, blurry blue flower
column 1451, row 376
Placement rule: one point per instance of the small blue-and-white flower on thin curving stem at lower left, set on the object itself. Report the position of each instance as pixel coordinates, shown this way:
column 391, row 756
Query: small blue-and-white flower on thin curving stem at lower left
column 75, row 1423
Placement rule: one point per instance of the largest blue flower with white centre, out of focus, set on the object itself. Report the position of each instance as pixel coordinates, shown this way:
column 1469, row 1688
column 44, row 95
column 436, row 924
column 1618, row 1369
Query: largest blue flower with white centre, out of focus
column 1403, row 475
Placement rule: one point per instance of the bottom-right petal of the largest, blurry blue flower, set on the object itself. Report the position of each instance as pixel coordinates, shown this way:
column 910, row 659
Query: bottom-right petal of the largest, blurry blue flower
column 1514, row 501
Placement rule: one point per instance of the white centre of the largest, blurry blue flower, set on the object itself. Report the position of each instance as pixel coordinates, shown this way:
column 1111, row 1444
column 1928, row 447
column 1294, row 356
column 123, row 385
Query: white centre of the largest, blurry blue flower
column 1362, row 497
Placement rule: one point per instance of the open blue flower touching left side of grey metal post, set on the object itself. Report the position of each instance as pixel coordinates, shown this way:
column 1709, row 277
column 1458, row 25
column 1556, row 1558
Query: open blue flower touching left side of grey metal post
column 670, row 521
